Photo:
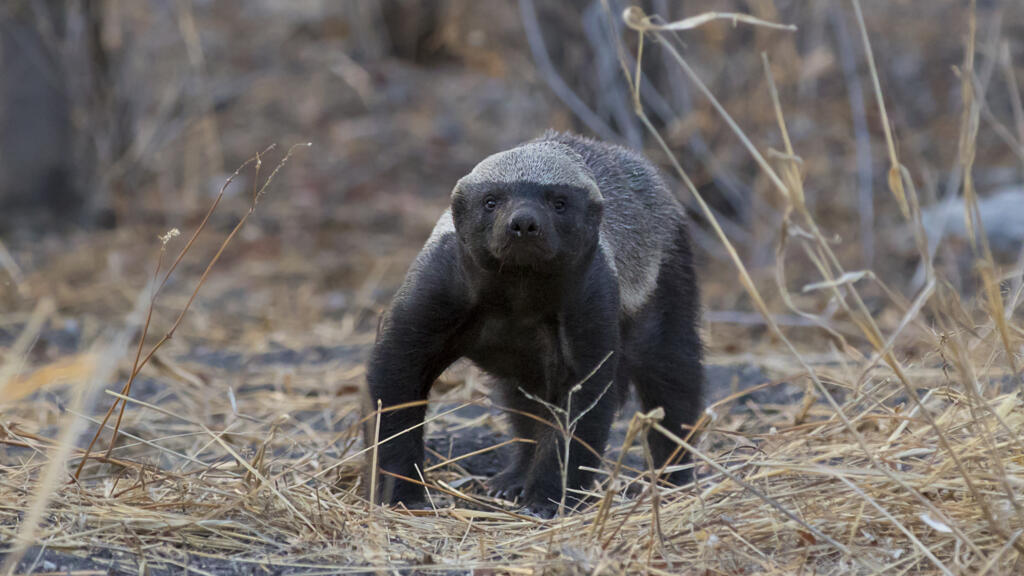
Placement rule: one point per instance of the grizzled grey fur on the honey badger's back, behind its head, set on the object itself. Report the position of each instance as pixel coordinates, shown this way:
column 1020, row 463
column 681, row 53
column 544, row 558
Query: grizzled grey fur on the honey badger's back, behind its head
column 643, row 220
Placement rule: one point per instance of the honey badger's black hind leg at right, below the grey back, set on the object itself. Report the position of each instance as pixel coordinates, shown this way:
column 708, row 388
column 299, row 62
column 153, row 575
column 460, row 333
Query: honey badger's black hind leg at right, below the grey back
column 665, row 353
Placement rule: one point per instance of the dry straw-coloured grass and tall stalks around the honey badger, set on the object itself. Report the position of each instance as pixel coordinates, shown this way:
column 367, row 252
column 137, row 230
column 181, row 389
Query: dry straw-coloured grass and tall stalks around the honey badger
column 892, row 465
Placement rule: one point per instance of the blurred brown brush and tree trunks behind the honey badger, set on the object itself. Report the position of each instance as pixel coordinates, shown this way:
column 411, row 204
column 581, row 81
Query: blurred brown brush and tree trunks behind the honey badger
column 131, row 115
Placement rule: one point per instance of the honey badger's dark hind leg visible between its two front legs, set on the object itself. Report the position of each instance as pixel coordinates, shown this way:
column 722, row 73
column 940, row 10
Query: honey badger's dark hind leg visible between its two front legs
column 523, row 415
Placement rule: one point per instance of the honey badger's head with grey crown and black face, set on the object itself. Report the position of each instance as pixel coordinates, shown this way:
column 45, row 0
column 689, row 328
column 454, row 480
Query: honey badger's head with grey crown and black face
column 535, row 208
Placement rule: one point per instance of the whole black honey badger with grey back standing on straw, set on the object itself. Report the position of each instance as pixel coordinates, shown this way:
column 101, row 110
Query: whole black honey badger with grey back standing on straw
column 562, row 262
